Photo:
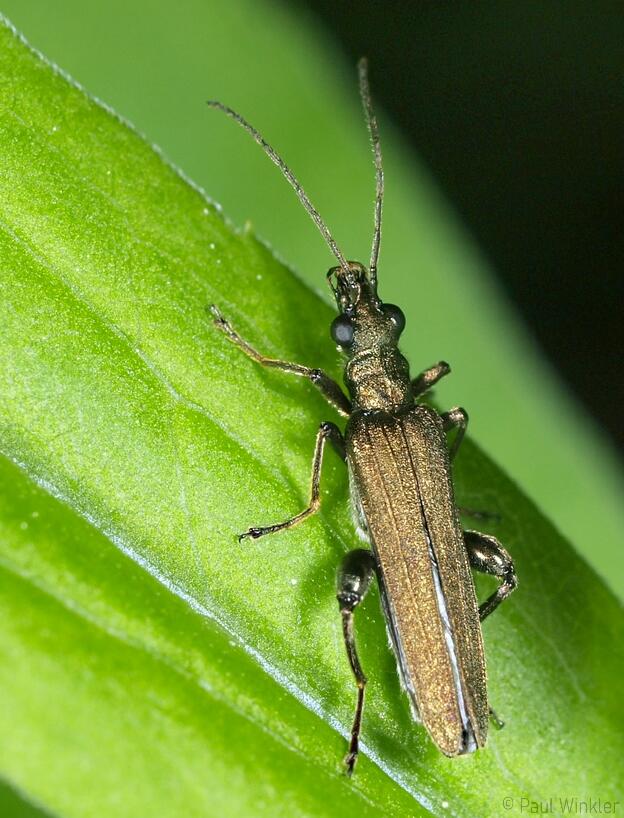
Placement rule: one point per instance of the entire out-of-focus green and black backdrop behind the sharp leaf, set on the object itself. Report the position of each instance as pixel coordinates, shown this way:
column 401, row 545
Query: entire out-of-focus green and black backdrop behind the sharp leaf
column 502, row 131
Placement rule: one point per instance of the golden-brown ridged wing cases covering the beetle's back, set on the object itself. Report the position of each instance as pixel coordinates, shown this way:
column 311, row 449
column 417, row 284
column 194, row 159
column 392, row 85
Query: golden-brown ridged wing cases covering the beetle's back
column 400, row 475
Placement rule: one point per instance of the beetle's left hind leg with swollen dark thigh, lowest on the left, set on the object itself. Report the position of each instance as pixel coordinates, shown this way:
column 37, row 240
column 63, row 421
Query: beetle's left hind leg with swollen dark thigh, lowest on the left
column 353, row 582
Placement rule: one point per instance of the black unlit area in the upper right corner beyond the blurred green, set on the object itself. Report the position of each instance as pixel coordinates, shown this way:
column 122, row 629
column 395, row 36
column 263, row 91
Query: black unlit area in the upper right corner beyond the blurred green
column 518, row 110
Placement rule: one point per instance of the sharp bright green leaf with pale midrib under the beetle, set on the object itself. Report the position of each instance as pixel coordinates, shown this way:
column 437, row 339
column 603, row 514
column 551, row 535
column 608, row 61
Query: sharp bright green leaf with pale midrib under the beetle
column 150, row 665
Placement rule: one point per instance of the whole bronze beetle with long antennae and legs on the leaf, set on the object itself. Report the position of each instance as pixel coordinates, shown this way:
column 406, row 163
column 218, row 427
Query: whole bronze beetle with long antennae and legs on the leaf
column 399, row 466
